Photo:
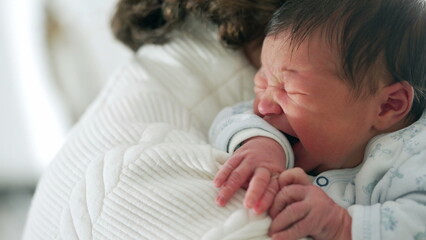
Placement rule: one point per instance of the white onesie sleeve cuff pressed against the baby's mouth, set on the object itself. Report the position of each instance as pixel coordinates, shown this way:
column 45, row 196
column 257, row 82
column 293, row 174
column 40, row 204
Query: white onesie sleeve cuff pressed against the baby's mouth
column 235, row 124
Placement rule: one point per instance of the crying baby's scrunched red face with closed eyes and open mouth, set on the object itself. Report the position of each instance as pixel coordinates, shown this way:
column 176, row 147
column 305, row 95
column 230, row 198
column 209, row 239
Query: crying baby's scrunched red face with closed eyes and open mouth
column 298, row 91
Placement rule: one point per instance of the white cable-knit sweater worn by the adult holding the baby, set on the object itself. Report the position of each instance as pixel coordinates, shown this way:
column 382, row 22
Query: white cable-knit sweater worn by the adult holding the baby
column 137, row 165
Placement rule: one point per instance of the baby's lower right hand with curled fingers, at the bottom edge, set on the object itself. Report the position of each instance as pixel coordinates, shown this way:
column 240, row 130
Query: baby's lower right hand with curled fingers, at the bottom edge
column 301, row 209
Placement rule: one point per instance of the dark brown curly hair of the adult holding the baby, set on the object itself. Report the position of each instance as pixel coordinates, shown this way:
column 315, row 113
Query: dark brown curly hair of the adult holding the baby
column 137, row 22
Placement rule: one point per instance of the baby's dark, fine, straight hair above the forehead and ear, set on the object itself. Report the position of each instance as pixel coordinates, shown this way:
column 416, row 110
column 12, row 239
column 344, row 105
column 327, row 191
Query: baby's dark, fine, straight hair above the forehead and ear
column 368, row 33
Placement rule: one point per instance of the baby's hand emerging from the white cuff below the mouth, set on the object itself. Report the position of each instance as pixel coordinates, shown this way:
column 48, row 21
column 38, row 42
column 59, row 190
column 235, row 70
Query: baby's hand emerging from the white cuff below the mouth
column 257, row 163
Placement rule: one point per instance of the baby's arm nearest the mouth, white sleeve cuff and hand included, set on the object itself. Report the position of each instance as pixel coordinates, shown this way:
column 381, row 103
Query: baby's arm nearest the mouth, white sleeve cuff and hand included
column 264, row 154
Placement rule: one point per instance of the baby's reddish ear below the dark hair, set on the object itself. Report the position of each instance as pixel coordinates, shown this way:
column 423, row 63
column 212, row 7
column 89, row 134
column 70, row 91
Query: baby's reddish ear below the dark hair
column 396, row 102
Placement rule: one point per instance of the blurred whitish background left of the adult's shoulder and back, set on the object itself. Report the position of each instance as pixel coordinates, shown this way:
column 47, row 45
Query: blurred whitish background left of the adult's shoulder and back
column 55, row 56
